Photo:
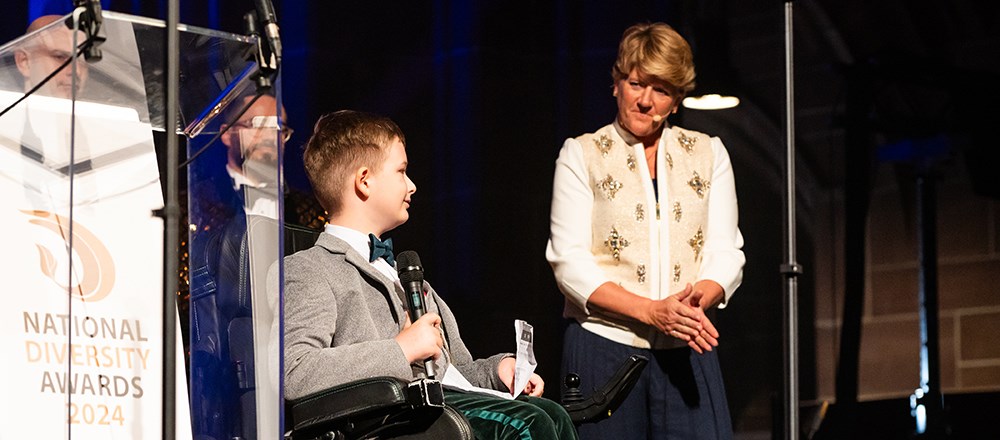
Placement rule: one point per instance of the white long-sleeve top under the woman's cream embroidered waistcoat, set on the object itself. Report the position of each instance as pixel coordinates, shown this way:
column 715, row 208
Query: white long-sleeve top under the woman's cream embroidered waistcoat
column 570, row 242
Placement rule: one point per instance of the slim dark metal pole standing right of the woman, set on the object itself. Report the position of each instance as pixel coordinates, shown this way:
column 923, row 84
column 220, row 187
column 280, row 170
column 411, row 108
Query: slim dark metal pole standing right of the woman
column 790, row 269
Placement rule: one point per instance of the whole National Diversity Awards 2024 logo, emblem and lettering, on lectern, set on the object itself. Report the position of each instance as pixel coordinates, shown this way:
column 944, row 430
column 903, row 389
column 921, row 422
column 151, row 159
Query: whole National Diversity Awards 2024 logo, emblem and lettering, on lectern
column 90, row 360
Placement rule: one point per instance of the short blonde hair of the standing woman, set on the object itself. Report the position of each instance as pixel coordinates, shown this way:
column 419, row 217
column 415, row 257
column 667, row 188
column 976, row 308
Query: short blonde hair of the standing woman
column 656, row 50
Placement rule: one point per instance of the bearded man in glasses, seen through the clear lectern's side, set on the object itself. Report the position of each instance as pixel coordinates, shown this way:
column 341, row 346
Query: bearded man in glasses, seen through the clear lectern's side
column 230, row 189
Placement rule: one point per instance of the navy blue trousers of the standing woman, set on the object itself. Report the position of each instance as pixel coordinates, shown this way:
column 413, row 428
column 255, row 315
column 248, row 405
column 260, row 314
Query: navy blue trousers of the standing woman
column 680, row 394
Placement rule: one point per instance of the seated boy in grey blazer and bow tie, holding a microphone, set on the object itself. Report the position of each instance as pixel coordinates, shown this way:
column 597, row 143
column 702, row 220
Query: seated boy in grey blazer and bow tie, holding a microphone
column 345, row 314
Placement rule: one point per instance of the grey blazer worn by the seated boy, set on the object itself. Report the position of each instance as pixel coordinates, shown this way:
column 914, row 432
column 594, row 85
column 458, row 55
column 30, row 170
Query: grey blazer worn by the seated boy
column 341, row 316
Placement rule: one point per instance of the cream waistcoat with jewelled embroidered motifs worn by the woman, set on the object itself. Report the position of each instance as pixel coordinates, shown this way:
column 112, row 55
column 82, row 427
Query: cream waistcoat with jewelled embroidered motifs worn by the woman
column 627, row 220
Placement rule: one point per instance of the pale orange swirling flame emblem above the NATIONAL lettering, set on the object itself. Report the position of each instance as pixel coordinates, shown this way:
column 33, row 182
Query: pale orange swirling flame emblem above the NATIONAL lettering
column 98, row 268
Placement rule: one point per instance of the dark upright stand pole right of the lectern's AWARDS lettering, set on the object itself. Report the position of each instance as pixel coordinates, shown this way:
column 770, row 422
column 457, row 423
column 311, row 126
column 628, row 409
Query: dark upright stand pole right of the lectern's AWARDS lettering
column 171, row 222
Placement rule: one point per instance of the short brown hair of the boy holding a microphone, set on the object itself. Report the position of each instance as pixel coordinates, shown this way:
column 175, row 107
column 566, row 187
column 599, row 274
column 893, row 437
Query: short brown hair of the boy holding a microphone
column 342, row 142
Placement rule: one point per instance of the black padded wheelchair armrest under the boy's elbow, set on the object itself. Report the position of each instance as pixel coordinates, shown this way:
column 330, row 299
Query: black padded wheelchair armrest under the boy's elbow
column 364, row 407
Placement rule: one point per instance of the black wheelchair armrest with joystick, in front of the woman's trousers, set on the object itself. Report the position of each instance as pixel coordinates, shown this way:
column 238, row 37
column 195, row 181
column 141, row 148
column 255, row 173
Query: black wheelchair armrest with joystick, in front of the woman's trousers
column 606, row 400
